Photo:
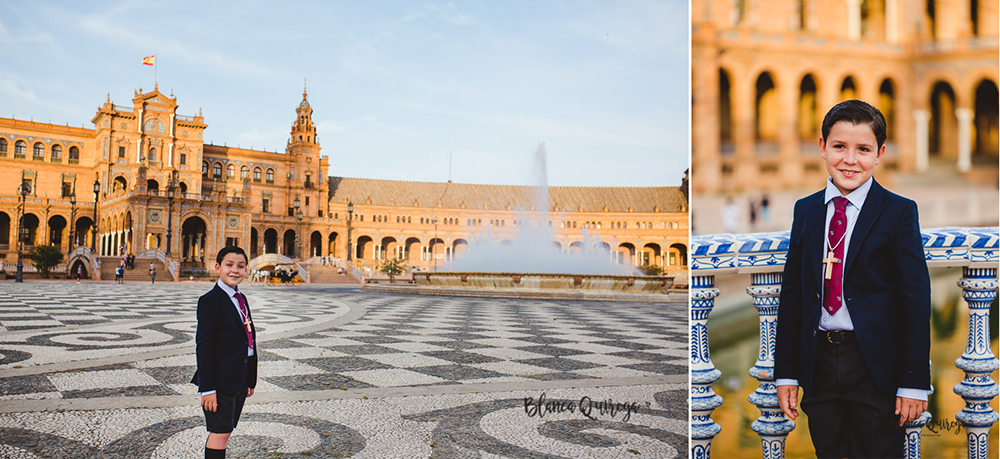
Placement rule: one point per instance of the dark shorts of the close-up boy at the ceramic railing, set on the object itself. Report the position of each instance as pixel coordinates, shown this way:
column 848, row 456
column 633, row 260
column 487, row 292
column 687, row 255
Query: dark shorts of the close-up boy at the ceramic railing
column 848, row 415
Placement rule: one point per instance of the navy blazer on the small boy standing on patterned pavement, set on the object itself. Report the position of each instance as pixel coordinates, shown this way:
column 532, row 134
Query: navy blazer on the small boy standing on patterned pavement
column 221, row 346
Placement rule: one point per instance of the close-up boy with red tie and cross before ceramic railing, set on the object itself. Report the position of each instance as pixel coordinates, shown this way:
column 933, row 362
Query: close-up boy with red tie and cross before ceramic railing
column 854, row 314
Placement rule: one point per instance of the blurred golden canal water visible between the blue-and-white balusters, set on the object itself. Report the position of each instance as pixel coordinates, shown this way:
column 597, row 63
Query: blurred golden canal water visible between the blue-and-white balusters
column 734, row 343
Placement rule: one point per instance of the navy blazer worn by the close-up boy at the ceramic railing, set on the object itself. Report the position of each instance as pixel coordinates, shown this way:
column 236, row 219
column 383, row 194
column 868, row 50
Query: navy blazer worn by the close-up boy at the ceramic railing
column 886, row 290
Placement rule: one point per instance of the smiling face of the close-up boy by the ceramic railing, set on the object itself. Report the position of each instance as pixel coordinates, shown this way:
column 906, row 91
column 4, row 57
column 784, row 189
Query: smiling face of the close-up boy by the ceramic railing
column 851, row 153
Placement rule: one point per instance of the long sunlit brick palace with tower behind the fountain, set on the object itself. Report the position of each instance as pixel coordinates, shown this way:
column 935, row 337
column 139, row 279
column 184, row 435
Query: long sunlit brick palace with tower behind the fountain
column 145, row 176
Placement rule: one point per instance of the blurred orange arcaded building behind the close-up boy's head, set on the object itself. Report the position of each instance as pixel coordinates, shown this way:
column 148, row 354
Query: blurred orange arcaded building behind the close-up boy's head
column 765, row 73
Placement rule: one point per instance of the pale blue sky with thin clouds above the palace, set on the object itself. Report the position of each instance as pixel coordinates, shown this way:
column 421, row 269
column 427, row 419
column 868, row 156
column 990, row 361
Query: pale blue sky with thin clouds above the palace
column 396, row 86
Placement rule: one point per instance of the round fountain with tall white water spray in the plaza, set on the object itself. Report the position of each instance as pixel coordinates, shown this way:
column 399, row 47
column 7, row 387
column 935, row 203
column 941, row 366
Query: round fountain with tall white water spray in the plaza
column 531, row 265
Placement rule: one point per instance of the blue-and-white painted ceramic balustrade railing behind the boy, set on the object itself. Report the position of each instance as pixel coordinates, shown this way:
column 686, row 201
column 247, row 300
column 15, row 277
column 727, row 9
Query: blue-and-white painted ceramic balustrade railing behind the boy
column 762, row 255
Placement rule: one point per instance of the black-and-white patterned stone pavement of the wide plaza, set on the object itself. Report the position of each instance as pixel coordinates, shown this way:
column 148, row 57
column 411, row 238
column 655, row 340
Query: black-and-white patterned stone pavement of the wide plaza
column 101, row 370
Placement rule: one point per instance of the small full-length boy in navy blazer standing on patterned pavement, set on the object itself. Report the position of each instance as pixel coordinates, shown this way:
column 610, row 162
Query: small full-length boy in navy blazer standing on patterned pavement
column 226, row 350
